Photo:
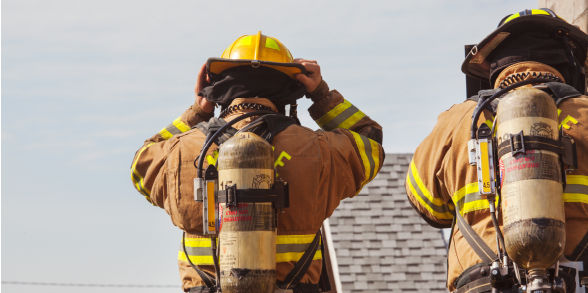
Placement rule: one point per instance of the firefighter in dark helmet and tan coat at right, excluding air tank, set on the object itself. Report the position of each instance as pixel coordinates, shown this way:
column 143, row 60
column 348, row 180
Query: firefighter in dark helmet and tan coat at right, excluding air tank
column 440, row 183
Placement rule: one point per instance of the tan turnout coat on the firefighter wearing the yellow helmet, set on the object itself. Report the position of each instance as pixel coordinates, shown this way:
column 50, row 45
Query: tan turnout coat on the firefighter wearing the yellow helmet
column 321, row 167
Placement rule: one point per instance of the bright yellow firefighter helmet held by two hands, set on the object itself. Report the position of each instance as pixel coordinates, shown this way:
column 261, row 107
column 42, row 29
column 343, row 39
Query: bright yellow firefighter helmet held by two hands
column 256, row 51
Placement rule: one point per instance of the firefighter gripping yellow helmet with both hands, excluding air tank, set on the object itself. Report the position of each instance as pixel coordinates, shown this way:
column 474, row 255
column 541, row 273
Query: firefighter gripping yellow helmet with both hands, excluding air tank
column 257, row 72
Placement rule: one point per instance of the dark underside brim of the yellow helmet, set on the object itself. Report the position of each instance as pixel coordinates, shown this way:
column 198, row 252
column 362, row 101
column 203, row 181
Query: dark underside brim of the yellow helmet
column 218, row 65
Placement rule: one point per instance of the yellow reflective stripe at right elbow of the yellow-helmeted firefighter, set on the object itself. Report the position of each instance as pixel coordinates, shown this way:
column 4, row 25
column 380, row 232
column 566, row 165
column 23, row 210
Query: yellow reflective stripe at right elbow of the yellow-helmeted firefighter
column 369, row 152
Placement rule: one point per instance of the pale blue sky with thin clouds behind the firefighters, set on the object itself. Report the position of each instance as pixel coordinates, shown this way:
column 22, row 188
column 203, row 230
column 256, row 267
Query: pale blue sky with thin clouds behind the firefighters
column 84, row 83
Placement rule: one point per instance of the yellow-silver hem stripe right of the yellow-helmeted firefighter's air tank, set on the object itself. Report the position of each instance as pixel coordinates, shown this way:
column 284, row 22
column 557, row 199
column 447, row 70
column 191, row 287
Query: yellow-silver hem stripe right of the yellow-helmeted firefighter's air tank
column 292, row 247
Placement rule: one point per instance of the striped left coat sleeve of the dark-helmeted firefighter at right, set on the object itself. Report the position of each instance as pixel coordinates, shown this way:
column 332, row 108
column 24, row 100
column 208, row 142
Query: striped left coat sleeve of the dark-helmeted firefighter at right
column 424, row 180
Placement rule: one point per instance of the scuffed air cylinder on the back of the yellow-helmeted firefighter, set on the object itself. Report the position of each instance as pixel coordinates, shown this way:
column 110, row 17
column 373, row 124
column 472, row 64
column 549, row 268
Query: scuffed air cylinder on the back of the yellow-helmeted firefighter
column 247, row 237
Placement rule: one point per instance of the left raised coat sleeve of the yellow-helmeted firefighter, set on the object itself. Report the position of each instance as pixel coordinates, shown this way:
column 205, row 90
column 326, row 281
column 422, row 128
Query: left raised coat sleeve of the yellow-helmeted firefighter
column 146, row 173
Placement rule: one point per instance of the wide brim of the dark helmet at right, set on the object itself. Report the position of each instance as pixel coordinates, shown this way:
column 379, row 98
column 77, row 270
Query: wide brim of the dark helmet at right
column 476, row 63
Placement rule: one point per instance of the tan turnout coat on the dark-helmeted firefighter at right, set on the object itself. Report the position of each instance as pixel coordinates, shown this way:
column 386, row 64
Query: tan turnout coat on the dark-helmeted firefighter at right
column 440, row 181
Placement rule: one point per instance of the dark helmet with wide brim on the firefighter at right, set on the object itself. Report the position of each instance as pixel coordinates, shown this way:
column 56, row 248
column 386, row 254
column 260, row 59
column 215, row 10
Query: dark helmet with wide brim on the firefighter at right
column 531, row 35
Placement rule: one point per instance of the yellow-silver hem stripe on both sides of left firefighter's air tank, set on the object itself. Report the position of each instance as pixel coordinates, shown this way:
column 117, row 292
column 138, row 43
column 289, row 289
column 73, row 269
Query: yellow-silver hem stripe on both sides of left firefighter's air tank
column 288, row 248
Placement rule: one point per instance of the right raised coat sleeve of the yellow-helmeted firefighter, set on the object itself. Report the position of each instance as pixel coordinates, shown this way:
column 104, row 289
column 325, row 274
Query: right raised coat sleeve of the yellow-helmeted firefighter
column 350, row 143
